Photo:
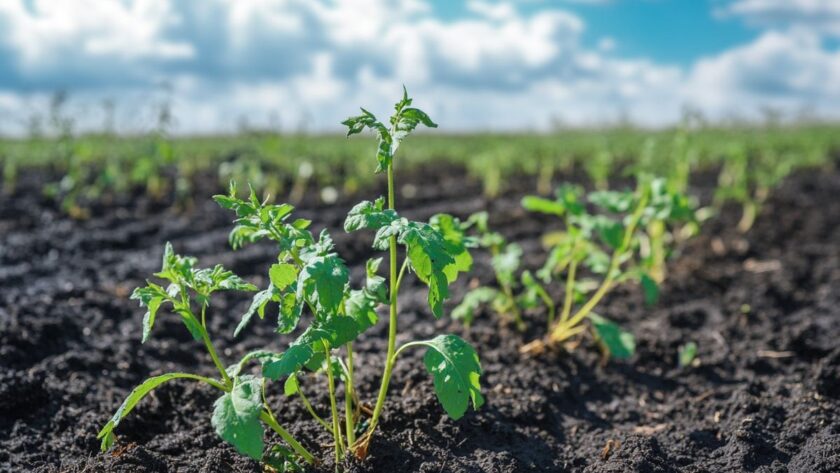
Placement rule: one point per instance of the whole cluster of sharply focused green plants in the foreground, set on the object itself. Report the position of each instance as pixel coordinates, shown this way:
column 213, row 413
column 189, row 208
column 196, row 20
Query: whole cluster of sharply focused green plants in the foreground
column 311, row 282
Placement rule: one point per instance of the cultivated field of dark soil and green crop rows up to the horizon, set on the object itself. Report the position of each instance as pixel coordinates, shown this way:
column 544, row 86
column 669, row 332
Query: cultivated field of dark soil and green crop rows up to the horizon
column 83, row 221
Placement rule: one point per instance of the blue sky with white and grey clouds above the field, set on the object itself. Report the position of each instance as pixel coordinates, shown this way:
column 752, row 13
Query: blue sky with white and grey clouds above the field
column 473, row 65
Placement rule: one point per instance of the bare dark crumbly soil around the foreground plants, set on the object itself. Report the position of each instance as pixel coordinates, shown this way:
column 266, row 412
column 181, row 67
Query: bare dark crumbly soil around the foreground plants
column 764, row 309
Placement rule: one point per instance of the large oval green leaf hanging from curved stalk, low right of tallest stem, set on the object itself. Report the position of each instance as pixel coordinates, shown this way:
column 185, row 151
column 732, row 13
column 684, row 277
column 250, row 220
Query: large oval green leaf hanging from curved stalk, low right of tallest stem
column 456, row 370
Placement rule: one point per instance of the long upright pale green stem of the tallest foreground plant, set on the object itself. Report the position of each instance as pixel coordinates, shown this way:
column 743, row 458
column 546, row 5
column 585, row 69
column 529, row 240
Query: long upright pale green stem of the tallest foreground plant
column 392, row 321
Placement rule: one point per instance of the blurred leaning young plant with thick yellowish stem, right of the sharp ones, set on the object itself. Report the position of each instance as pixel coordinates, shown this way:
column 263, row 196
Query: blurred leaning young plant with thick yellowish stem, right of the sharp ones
column 612, row 245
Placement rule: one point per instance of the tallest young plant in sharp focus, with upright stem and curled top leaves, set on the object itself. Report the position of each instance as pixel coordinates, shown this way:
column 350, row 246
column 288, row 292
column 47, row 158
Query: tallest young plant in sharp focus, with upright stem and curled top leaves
column 436, row 252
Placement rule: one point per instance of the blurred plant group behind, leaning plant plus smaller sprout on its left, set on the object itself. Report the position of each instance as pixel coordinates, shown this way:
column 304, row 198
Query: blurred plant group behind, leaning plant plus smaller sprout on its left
column 627, row 238
